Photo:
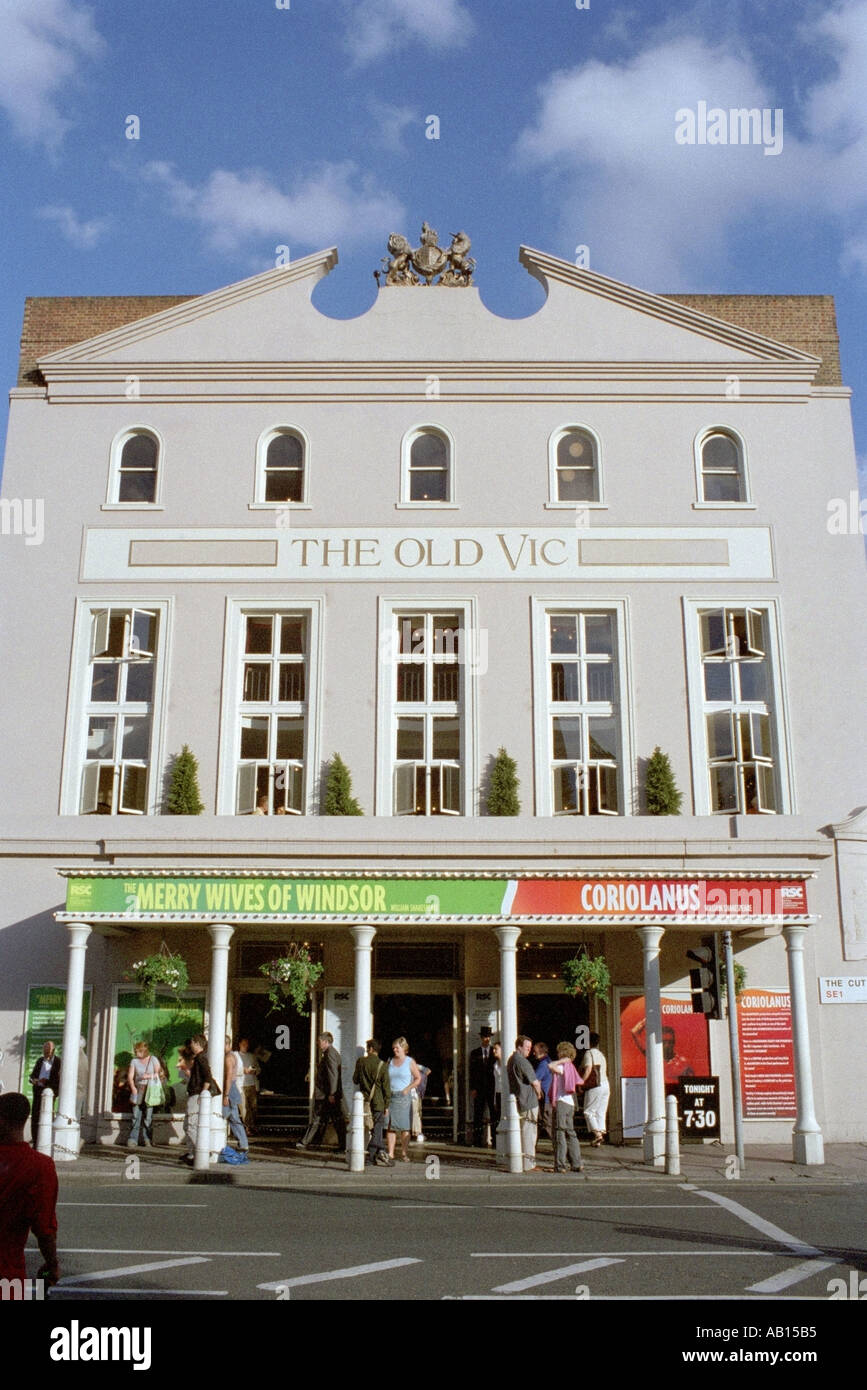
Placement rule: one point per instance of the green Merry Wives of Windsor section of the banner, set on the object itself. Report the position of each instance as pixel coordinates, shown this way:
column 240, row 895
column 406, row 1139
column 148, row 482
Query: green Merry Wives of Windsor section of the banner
column 137, row 897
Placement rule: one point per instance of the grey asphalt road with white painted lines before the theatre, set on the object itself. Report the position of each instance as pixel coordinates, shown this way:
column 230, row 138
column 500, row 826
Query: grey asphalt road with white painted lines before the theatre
column 515, row 1239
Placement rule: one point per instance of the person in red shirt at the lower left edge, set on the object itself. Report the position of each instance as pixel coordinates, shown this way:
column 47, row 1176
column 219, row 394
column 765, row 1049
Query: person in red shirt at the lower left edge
column 28, row 1195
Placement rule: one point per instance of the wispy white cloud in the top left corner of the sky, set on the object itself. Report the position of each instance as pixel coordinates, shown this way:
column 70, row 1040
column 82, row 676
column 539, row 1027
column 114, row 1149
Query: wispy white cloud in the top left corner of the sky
column 45, row 45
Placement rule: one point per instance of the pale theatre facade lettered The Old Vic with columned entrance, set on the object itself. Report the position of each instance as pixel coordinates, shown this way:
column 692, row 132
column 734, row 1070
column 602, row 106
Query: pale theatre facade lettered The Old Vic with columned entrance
column 415, row 539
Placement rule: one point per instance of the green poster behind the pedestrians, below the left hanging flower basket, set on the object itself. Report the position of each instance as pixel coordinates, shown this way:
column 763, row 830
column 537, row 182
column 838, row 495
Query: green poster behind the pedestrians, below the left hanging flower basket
column 165, row 1028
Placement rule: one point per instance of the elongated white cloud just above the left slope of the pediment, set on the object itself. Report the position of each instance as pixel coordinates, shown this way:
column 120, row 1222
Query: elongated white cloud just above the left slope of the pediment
column 333, row 205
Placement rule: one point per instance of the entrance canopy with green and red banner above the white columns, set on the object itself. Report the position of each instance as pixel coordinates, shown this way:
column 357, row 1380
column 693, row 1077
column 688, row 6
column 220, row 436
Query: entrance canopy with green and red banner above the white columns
column 600, row 900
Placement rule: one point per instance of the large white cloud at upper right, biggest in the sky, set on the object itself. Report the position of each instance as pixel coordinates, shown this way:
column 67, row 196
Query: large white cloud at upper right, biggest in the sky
column 663, row 215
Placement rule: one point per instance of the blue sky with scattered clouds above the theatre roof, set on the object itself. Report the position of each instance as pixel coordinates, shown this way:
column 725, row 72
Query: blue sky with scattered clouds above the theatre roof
column 306, row 127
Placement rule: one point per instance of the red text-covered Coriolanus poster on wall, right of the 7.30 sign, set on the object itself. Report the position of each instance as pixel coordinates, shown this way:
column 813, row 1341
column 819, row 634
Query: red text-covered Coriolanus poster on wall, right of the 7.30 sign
column 768, row 1058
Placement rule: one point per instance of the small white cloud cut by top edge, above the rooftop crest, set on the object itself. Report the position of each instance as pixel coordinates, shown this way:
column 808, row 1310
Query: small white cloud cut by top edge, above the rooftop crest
column 380, row 27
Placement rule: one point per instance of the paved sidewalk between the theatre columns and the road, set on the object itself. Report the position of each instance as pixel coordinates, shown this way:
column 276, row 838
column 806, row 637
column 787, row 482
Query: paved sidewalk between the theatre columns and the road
column 277, row 1166
